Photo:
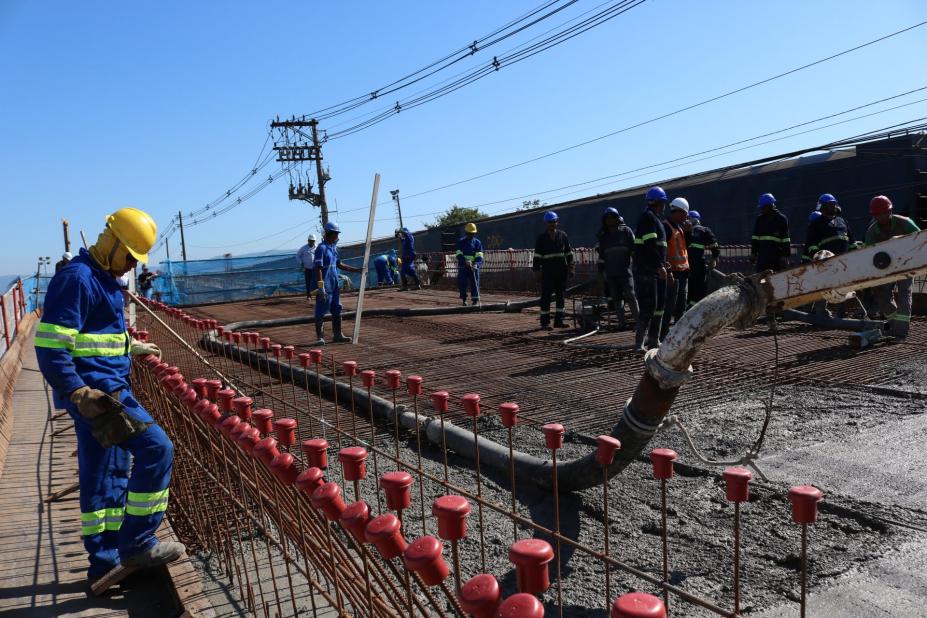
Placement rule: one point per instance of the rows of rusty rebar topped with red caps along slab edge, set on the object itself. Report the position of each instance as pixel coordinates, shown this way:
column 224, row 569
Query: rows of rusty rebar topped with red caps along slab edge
column 271, row 446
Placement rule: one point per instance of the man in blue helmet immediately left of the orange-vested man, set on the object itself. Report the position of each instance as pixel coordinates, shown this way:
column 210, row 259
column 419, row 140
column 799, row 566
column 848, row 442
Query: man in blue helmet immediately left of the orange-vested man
column 650, row 272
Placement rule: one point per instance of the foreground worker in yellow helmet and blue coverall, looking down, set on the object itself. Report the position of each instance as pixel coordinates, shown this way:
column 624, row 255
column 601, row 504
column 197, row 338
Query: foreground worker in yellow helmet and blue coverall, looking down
column 124, row 458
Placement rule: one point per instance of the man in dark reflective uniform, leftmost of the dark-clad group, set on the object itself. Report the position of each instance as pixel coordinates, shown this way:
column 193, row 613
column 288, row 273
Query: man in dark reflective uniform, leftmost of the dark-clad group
column 553, row 263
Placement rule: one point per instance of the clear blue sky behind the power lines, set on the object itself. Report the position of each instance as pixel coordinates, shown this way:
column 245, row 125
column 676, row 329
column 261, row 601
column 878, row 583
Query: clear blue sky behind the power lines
column 164, row 105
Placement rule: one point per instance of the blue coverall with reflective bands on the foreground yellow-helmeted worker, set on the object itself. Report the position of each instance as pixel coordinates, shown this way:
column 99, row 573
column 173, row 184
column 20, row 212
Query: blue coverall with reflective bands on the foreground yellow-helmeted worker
column 82, row 341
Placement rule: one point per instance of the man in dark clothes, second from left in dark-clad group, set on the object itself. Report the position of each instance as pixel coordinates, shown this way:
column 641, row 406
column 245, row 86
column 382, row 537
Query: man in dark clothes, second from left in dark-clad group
column 615, row 246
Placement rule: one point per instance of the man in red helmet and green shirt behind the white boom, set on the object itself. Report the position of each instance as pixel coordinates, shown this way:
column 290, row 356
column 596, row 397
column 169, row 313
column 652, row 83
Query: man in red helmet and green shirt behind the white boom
column 894, row 299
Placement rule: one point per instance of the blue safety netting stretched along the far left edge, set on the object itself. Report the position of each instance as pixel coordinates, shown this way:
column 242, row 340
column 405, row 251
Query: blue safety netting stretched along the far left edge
column 195, row 282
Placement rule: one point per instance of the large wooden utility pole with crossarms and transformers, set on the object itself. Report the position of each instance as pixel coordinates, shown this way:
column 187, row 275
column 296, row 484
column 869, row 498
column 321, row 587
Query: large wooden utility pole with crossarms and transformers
column 298, row 147
